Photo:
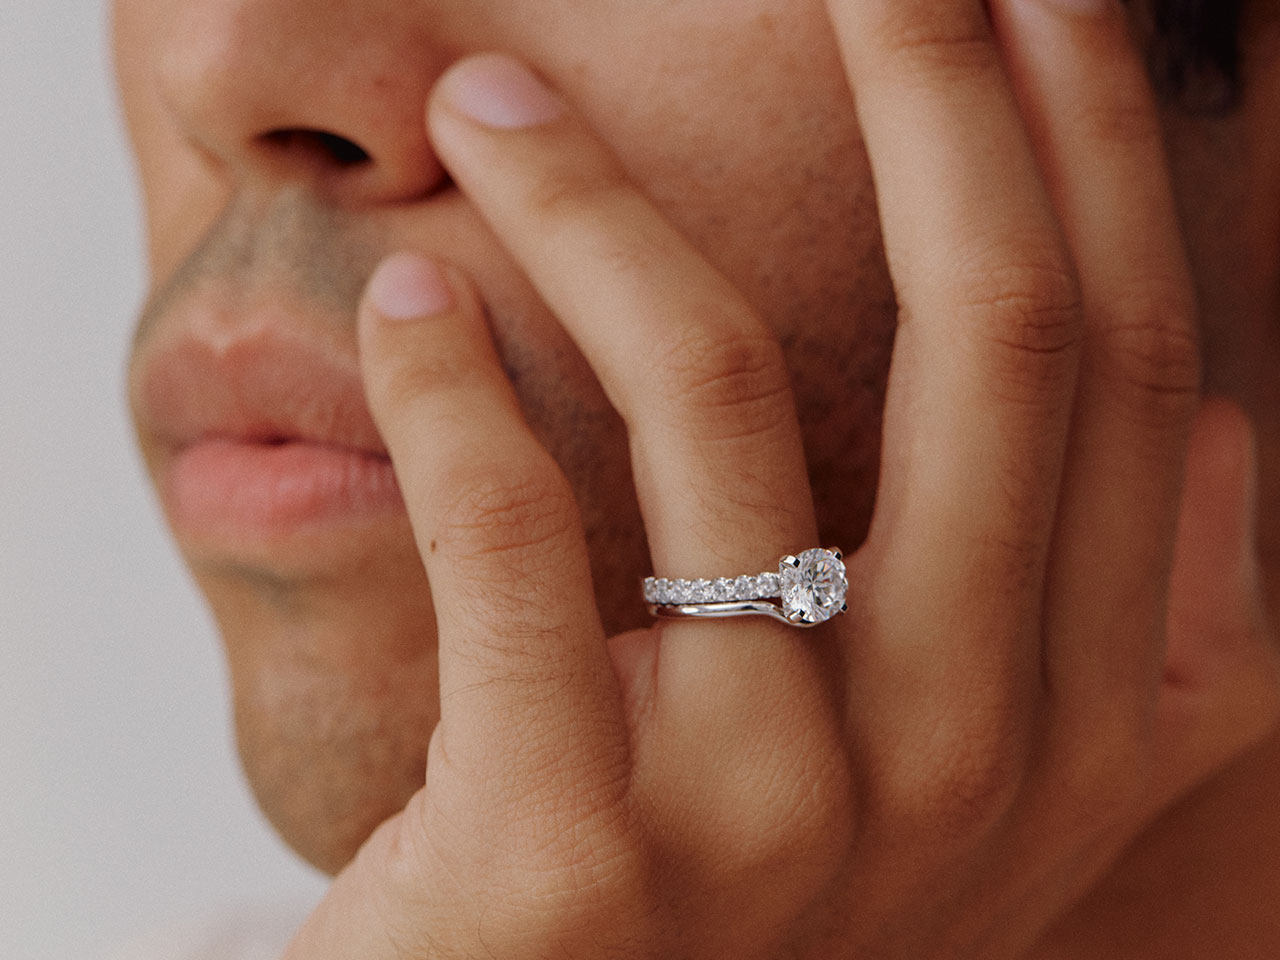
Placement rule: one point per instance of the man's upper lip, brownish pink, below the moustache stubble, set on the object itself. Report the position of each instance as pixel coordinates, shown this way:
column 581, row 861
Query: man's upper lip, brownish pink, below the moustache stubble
column 258, row 386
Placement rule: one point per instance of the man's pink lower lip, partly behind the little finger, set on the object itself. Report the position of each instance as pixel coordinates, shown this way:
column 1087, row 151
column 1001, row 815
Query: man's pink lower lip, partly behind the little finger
column 243, row 490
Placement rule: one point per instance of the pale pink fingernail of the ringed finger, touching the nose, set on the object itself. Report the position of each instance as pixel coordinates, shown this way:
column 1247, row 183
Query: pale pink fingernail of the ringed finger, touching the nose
column 499, row 92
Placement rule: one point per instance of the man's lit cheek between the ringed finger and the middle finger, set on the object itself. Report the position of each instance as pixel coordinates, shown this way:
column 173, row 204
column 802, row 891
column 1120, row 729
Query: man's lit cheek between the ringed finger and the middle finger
column 746, row 136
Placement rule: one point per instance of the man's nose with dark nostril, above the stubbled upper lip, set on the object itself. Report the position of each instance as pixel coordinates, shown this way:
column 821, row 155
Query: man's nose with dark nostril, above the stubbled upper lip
column 321, row 92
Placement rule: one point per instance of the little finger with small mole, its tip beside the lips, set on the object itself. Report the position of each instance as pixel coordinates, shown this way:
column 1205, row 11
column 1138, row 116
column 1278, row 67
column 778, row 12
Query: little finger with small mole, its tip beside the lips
column 528, row 698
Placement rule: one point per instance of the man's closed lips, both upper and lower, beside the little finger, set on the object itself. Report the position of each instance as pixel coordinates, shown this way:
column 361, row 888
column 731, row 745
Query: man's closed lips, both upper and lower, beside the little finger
column 260, row 440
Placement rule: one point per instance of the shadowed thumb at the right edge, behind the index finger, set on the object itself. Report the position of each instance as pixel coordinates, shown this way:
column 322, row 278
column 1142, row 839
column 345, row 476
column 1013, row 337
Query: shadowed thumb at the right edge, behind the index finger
column 1222, row 684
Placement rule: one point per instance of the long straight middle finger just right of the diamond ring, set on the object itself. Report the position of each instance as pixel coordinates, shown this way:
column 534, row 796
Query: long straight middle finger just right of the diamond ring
column 984, row 372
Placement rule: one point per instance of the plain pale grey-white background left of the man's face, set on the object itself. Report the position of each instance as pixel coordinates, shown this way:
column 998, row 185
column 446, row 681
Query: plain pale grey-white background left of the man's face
column 122, row 807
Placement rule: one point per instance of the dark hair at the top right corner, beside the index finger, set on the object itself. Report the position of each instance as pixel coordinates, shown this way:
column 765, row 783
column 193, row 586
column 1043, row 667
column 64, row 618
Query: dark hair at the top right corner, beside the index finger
column 1196, row 52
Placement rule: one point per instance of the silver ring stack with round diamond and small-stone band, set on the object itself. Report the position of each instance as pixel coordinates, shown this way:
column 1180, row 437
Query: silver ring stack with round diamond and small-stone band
column 808, row 589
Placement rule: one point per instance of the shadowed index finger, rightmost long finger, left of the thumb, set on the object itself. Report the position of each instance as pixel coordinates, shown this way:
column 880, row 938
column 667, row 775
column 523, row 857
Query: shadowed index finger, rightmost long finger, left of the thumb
column 1094, row 116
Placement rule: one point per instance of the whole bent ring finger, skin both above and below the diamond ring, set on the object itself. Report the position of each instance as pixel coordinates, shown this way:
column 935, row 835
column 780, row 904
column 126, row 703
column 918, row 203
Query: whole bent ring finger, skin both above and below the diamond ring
column 700, row 381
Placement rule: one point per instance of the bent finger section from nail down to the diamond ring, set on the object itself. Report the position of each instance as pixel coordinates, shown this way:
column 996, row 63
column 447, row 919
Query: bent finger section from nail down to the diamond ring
column 700, row 381
